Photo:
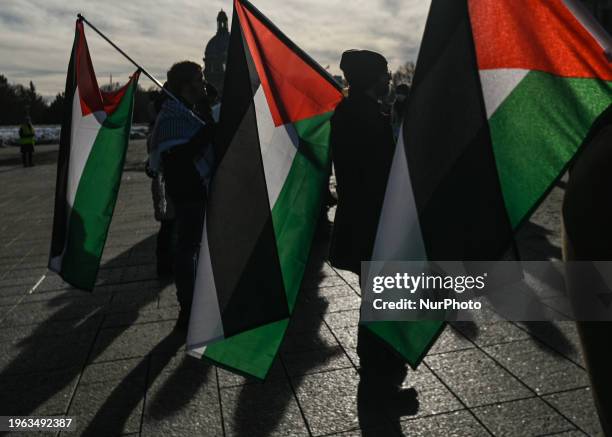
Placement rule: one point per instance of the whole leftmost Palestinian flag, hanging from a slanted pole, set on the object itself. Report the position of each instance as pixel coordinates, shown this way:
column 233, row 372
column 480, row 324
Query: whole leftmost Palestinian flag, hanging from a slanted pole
column 94, row 138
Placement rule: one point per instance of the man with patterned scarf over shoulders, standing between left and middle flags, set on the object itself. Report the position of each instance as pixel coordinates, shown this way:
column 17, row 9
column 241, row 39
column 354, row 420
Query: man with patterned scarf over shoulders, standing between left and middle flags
column 183, row 143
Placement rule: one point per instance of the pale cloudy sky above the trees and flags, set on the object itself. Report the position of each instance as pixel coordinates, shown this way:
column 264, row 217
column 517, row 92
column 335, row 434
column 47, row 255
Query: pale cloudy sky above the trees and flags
column 36, row 35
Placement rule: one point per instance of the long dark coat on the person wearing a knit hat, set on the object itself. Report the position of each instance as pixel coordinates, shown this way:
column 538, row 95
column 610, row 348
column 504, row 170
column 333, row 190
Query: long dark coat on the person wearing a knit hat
column 362, row 148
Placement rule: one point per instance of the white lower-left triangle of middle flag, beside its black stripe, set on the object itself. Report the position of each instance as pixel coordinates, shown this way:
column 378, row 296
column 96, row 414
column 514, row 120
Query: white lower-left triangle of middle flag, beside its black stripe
column 205, row 324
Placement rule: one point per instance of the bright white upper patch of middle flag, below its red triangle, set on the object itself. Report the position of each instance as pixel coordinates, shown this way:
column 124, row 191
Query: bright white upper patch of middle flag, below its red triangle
column 278, row 147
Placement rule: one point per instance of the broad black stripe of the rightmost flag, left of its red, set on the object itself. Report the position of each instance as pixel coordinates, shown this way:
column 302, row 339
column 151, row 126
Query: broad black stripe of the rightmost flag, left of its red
column 448, row 145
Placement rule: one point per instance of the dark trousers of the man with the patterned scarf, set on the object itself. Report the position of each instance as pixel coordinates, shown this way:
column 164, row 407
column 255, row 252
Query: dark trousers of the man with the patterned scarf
column 189, row 222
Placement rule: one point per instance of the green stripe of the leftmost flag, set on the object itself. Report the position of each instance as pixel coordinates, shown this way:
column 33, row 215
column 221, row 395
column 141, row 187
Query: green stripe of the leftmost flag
column 96, row 196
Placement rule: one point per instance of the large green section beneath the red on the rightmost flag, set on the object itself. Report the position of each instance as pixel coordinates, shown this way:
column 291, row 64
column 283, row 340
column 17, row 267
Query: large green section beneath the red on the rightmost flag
column 544, row 120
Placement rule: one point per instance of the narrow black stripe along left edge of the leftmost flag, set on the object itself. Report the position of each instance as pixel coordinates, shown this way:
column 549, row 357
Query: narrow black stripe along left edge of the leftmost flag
column 60, row 216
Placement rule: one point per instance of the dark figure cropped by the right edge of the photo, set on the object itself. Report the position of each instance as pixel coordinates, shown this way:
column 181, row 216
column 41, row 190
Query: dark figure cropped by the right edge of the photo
column 587, row 217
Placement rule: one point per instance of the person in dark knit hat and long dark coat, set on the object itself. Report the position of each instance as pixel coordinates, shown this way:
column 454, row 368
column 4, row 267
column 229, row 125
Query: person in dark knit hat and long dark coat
column 362, row 148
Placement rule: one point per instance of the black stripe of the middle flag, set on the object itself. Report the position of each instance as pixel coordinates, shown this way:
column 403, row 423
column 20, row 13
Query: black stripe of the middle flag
column 244, row 254
